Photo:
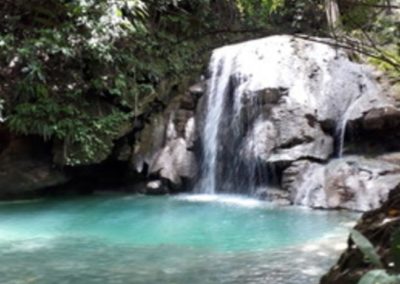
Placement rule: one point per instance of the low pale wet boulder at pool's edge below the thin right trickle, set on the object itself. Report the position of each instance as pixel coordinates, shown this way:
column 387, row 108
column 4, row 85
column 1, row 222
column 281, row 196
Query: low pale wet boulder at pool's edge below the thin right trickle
column 353, row 183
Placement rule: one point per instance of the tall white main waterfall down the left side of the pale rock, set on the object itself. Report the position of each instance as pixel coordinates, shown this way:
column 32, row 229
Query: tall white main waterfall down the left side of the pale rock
column 229, row 163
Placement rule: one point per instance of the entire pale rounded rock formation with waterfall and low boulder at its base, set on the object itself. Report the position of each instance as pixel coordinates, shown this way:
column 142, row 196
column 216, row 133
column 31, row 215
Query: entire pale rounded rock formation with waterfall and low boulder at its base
column 285, row 103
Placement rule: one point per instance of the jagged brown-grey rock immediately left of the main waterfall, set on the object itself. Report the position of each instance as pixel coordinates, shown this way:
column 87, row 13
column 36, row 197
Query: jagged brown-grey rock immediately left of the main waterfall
column 164, row 150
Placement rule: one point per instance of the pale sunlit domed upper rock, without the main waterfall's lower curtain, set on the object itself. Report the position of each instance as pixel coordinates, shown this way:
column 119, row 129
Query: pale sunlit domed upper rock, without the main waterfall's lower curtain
column 290, row 106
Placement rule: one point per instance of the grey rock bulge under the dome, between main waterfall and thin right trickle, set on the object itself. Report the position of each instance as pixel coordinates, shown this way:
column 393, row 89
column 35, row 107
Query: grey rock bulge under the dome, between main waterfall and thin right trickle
column 286, row 135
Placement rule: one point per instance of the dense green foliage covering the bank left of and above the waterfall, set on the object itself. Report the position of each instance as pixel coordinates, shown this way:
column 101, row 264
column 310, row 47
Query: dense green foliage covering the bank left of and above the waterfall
column 78, row 71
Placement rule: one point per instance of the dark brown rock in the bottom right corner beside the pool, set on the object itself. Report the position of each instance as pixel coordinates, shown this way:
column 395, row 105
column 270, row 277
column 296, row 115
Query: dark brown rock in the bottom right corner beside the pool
column 379, row 227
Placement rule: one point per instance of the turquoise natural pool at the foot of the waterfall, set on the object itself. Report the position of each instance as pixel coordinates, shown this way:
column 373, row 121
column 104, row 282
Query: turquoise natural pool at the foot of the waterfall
column 184, row 239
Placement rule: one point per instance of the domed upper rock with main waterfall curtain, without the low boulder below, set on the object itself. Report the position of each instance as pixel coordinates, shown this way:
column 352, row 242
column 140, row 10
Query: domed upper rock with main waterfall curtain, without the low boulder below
column 271, row 102
